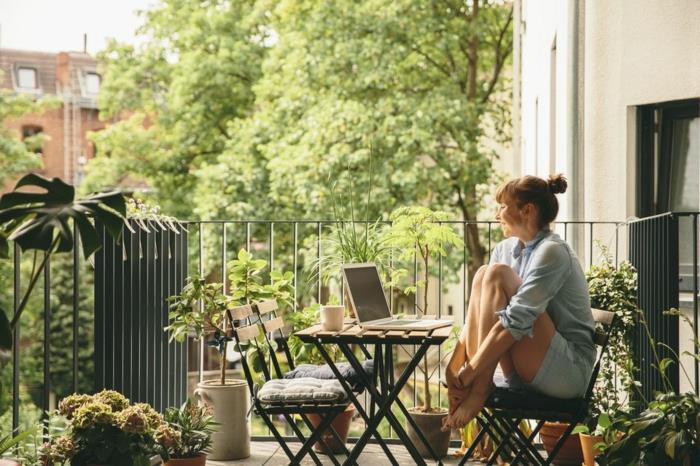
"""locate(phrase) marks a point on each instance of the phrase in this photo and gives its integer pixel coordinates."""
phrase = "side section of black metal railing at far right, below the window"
(664, 250)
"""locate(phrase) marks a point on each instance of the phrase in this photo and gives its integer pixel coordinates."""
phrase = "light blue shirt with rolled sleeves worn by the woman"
(553, 281)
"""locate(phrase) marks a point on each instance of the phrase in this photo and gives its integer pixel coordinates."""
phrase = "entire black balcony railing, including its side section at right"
(286, 245)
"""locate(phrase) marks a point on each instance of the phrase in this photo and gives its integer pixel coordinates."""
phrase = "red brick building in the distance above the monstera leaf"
(73, 77)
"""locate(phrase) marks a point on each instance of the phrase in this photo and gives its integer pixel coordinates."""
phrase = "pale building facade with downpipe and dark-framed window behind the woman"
(608, 92)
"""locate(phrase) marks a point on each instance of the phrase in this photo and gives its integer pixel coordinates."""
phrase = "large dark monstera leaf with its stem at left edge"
(39, 218)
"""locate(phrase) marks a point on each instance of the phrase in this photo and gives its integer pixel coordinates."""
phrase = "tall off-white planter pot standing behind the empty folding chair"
(230, 403)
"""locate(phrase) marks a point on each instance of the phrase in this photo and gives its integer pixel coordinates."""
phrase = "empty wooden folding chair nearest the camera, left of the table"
(244, 335)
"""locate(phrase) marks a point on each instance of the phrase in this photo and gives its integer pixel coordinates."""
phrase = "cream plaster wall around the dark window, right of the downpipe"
(636, 52)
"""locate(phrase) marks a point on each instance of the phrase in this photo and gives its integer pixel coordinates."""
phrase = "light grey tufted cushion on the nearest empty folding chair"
(305, 389)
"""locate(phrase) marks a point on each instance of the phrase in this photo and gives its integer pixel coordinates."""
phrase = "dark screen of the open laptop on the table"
(367, 293)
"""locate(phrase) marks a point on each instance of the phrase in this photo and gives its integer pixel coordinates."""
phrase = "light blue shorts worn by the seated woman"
(565, 372)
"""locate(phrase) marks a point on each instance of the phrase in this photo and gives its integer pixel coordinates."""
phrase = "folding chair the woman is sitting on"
(506, 407)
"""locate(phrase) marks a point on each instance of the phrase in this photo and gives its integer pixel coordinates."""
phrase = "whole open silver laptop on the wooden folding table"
(366, 294)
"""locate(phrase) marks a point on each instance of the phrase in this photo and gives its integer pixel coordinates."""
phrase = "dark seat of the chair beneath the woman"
(532, 405)
